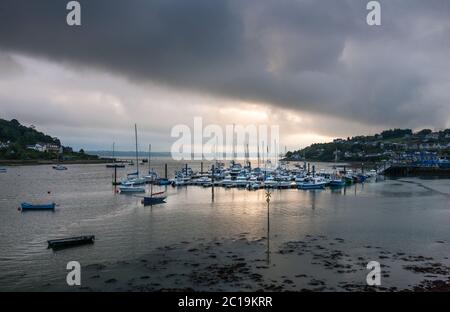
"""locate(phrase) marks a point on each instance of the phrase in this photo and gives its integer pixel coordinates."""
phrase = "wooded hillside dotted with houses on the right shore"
(386, 145)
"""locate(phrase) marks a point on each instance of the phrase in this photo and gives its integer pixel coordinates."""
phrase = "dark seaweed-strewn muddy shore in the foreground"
(241, 263)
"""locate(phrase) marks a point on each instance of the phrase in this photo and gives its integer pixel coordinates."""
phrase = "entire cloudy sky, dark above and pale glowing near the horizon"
(313, 67)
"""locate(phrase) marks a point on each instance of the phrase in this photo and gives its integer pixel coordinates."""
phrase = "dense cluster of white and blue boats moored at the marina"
(240, 176)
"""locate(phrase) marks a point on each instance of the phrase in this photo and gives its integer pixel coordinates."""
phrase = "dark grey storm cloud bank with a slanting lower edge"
(317, 56)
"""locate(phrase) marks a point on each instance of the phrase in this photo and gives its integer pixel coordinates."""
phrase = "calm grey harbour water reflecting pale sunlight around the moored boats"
(409, 214)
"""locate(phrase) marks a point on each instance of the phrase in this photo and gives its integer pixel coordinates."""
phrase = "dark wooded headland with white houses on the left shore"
(19, 142)
